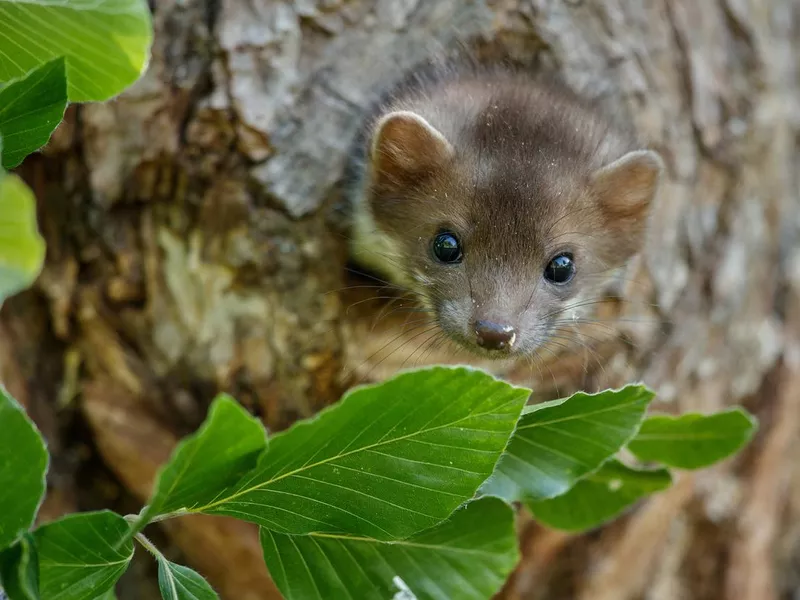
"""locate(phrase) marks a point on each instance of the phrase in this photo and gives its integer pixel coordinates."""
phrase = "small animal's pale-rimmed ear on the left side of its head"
(405, 147)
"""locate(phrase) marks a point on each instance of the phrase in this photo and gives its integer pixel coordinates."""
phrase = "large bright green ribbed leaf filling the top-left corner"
(106, 42)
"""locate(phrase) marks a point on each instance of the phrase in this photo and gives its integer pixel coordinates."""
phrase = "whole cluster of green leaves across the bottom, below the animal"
(406, 487)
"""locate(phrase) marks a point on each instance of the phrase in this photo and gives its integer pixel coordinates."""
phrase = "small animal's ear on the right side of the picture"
(626, 187)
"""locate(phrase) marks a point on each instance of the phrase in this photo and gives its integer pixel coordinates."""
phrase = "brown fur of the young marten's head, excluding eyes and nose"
(521, 171)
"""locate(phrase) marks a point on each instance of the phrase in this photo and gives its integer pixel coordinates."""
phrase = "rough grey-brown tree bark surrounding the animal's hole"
(192, 248)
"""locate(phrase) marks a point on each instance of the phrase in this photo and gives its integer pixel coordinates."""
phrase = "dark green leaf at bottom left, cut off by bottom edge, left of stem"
(82, 556)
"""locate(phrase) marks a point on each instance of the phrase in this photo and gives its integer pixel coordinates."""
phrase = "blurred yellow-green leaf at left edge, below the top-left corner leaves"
(21, 245)
